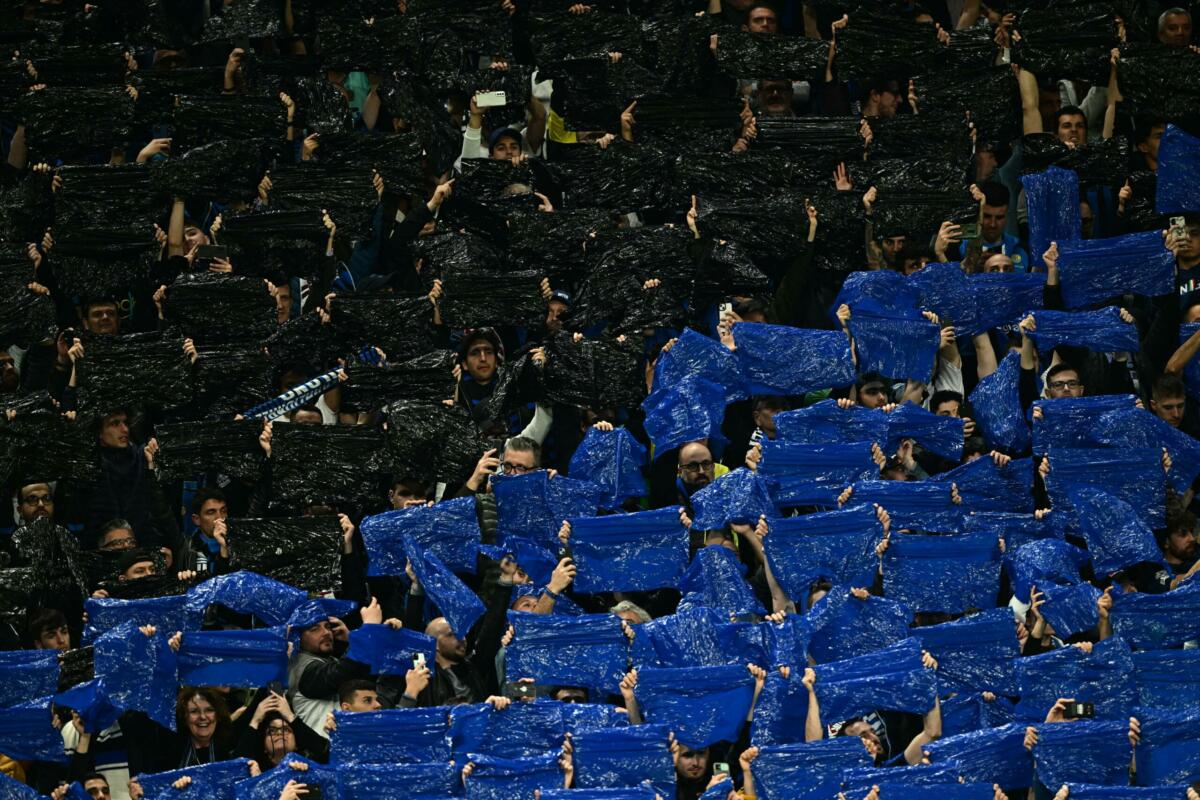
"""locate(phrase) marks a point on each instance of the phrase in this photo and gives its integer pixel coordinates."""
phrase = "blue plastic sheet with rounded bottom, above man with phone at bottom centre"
(703, 706)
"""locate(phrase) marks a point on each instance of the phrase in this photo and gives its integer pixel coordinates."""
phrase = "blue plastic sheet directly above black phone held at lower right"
(1103, 677)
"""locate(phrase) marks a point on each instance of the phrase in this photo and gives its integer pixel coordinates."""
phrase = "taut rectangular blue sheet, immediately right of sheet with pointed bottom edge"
(944, 574)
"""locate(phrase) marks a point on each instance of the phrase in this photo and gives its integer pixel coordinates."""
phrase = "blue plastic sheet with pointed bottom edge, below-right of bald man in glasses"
(835, 545)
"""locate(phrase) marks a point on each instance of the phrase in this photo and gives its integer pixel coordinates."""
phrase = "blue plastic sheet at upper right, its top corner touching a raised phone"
(1096, 270)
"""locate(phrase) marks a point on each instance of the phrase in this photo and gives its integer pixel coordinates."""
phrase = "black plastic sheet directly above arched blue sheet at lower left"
(303, 552)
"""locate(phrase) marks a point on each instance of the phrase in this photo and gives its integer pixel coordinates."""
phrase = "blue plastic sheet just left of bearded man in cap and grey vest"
(239, 659)
